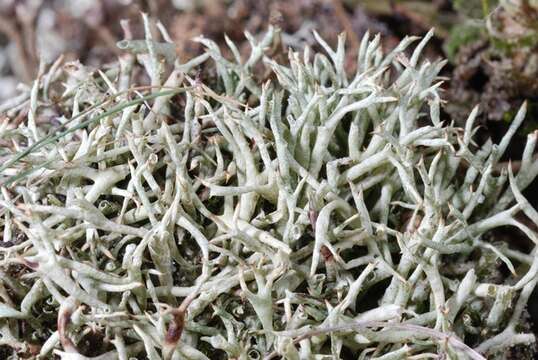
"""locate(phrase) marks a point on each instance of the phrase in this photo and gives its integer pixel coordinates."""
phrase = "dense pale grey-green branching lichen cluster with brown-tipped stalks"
(308, 216)
